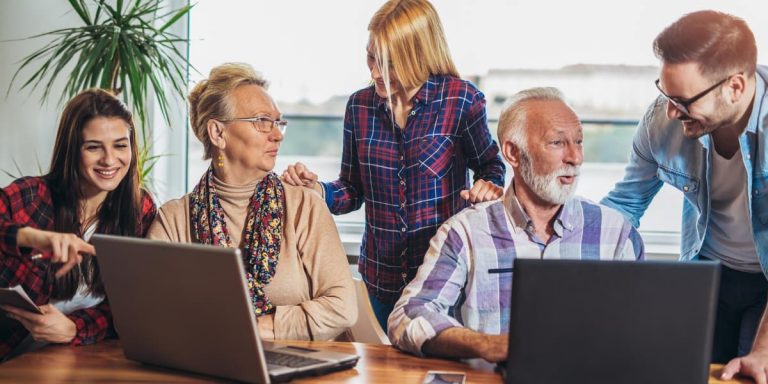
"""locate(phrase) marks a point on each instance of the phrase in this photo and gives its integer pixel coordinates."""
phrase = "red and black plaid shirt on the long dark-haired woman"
(27, 203)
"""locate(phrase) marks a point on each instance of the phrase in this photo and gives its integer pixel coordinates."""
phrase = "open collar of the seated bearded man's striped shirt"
(567, 217)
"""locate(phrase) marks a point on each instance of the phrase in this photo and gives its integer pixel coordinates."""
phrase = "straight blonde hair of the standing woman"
(408, 35)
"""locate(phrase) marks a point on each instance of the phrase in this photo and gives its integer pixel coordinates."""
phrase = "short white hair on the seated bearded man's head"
(513, 116)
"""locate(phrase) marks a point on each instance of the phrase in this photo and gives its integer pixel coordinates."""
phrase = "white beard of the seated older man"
(547, 187)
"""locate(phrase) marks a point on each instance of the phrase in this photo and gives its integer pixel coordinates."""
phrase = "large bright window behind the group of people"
(598, 53)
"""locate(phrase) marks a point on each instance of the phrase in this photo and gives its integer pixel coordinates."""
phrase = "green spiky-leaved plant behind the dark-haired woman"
(122, 46)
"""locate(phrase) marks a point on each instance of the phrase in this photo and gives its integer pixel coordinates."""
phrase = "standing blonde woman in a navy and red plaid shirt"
(409, 141)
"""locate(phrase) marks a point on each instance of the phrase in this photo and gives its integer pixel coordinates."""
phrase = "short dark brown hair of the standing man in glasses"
(720, 43)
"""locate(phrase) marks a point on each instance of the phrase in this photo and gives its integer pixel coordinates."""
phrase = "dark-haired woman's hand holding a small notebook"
(52, 326)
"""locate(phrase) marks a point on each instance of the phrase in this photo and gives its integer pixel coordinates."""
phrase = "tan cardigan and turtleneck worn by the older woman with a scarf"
(312, 287)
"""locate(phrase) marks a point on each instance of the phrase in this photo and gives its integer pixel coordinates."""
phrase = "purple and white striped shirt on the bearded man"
(466, 278)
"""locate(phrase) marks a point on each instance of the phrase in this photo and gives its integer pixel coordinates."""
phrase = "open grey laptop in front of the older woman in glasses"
(186, 306)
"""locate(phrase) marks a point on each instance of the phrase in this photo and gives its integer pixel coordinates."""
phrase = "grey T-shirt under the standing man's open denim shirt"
(729, 231)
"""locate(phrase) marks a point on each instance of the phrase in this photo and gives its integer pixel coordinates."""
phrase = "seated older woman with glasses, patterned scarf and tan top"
(295, 266)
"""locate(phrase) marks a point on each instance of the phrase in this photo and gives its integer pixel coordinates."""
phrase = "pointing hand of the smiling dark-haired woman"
(64, 248)
